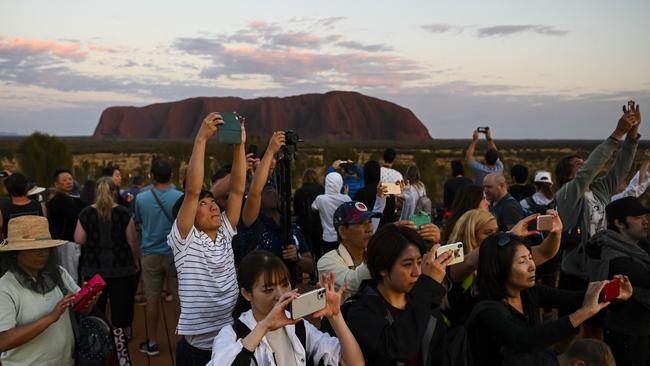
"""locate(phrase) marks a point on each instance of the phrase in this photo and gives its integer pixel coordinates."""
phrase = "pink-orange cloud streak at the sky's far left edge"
(32, 47)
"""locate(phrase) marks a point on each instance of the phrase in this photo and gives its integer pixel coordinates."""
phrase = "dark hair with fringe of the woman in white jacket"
(255, 264)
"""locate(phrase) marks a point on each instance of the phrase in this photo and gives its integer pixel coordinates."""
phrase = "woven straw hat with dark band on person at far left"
(27, 233)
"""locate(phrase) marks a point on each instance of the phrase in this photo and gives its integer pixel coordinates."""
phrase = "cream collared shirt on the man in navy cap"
(340, 263)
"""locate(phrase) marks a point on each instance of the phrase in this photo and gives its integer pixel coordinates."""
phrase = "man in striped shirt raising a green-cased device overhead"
(201, 239)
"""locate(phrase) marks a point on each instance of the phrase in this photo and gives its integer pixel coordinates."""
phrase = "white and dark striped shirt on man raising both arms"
(207, 282)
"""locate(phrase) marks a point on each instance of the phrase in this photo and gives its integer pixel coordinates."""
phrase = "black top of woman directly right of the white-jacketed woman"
(385, 342)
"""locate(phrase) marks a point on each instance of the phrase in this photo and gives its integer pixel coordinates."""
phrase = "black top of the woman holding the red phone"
(501, 335)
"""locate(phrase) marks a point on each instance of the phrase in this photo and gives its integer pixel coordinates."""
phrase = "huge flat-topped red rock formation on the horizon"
(335, 115)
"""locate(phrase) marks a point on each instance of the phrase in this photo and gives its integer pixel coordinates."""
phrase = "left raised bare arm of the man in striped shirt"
(194, 178)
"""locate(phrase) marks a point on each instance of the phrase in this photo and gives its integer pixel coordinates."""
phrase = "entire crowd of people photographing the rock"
(554, 270)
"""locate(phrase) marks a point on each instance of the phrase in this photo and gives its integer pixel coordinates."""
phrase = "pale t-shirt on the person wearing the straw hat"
(20, 306)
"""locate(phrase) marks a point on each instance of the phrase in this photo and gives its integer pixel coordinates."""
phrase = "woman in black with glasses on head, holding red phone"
(505, 328)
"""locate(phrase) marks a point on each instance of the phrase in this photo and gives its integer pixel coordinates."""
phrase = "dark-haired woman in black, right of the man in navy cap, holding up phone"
(396, 316)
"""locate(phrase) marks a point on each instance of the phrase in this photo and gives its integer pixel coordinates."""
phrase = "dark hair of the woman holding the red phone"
(495, 264)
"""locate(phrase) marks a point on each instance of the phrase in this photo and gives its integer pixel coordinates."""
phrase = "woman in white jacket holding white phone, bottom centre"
(270, 336)
